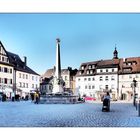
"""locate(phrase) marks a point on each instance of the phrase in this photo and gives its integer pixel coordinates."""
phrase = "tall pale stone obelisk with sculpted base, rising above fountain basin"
(57, 81)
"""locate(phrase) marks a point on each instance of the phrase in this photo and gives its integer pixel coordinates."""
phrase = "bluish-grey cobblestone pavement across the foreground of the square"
(27, 114)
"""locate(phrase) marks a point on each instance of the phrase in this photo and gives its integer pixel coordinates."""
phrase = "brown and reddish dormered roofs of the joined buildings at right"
(125, 66)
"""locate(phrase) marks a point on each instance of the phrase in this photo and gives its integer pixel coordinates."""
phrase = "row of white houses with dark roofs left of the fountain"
(15, 75)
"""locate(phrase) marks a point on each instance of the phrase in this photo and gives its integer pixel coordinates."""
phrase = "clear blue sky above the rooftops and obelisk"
(84, 37)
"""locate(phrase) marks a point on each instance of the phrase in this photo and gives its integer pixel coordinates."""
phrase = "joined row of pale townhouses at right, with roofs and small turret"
(114, 75)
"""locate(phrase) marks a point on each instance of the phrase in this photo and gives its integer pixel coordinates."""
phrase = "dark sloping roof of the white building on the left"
(19, 64)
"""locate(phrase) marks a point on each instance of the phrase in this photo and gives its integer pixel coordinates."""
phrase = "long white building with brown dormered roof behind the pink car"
(95, 78)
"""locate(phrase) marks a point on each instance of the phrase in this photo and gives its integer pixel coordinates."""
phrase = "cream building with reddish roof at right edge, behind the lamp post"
(129, 70)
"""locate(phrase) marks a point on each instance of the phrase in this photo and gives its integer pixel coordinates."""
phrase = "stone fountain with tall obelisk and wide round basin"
(58, 95)
